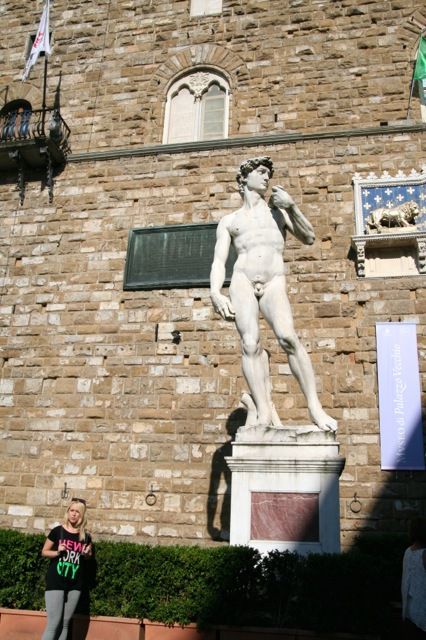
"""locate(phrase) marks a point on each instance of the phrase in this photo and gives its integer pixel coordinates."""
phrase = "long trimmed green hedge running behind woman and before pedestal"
(348, 592)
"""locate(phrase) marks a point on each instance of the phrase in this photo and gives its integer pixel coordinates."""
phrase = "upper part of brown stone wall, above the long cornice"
(292, 65)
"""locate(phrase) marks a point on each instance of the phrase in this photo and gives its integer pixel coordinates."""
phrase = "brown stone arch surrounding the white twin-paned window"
(196, 57)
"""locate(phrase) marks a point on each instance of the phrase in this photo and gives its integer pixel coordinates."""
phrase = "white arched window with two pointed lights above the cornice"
(197, 108)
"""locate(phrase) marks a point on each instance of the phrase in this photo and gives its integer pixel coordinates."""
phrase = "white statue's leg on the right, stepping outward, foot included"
(276, 309)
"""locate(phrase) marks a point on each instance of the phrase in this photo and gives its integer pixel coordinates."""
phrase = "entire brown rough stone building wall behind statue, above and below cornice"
(93, 391)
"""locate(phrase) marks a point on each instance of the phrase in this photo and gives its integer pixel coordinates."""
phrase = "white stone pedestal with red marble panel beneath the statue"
(285, 489)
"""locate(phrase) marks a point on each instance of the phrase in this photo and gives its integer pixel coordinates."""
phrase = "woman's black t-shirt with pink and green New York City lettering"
(66, 573)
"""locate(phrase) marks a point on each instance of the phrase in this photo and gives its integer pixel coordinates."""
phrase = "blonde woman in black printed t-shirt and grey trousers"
(67, 545)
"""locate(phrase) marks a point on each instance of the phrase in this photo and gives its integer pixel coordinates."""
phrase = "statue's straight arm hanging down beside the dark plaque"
(221, 303)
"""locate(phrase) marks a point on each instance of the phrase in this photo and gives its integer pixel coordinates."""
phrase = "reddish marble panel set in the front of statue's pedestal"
(285, 516)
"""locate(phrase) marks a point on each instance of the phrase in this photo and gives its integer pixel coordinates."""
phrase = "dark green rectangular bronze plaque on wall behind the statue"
(172, 256)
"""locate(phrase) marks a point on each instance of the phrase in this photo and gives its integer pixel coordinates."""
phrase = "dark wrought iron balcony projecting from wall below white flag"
(31, 140)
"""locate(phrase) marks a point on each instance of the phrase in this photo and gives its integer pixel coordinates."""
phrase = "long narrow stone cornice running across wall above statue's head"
(243, 141)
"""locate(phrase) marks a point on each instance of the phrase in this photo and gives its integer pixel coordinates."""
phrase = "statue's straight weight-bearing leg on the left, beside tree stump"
(246, 309)
